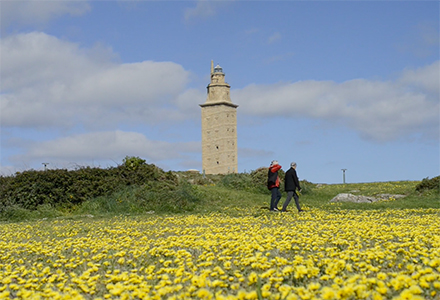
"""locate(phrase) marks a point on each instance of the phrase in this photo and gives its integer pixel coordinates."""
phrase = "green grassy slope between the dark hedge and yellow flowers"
(223, 198)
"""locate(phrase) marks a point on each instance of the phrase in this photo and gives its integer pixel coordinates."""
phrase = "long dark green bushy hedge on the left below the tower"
(60, 187)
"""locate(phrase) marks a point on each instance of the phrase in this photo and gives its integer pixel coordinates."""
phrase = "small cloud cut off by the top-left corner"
(35, 12)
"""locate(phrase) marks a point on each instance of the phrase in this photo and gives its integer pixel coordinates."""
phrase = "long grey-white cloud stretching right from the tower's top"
(377, 110)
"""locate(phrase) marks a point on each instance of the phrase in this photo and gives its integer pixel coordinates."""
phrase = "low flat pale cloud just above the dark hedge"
(104, 146)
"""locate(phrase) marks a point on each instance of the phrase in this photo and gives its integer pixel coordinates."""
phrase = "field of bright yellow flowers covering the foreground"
(318, 254)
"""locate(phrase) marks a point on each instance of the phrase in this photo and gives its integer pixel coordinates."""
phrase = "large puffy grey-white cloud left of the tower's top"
(50, 82)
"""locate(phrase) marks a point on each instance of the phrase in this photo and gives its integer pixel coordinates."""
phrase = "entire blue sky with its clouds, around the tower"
(330, 85)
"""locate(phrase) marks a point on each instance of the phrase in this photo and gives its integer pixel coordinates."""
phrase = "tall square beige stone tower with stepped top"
(219, 127)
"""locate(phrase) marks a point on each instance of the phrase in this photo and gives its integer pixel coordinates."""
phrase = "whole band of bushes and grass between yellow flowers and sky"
(135, 187)
